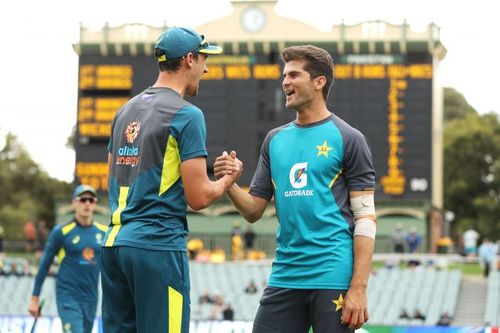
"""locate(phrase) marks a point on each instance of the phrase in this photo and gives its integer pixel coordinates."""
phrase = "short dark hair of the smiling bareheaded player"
(318, 62)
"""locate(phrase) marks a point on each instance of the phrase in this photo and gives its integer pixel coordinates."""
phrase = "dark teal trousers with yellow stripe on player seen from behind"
(145, 291)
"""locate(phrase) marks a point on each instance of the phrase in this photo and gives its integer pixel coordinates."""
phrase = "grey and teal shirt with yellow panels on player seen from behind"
(151, 136)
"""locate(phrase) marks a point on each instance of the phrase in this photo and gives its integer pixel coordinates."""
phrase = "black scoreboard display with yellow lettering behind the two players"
(387, 97)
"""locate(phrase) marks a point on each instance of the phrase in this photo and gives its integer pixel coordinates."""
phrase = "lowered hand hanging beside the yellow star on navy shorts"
(355, 308)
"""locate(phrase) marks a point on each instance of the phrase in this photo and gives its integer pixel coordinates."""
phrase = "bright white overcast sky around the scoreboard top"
(39, 69)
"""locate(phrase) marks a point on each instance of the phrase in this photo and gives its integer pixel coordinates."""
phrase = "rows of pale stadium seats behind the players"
(405, 291)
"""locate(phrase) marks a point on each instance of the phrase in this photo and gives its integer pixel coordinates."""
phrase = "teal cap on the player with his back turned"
(176, 42)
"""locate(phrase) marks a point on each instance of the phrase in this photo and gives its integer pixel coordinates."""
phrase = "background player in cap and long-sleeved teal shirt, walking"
(77, 244)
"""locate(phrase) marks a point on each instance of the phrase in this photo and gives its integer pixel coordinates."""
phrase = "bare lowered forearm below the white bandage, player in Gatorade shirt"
(363, 252)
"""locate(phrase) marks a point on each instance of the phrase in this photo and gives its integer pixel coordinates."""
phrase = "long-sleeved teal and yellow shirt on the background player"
(78, 249)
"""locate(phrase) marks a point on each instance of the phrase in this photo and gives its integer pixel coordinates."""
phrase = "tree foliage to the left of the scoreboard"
(28, 193)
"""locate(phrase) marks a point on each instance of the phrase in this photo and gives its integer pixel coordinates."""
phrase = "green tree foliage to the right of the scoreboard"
(472, 166)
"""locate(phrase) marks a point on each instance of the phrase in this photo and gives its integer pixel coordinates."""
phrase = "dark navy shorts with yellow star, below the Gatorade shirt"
(296, 310)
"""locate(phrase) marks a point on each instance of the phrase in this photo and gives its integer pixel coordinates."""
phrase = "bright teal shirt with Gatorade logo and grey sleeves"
(310, 170)
